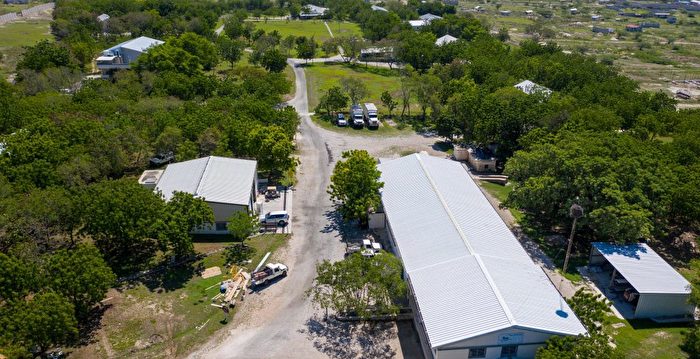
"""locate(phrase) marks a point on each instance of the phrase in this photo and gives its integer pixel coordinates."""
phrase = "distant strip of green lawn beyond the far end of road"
(309, 28)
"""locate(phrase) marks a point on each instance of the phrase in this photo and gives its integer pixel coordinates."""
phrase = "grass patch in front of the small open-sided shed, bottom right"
(646, 339)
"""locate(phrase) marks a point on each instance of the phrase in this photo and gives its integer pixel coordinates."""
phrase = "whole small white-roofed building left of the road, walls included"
(228, 185)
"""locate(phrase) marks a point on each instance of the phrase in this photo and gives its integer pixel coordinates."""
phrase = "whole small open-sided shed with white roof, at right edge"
(661, 292)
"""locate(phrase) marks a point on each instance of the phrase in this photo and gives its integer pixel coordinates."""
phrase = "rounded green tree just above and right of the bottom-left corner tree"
(80, 275)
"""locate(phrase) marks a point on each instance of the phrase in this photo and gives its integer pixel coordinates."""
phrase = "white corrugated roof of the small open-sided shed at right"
(646, 271)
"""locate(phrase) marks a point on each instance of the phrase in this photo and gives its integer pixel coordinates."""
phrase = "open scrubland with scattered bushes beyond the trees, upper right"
(654, 57)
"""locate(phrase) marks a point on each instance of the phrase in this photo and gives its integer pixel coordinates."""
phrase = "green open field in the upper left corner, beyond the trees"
(16, 34)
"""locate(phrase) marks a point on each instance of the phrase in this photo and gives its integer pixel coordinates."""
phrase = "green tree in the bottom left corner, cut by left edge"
(38, 324)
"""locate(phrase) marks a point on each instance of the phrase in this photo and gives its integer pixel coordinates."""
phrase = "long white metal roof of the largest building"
(468, 272)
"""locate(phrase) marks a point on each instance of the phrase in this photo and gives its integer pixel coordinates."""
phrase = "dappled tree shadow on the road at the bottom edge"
(350, 340)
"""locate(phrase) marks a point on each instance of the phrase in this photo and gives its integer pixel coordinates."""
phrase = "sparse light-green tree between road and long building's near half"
(365, 286)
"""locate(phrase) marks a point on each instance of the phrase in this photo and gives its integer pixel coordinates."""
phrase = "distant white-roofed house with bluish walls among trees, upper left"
(121, 56)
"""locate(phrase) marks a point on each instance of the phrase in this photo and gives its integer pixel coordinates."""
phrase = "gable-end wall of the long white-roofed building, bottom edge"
(528, 341)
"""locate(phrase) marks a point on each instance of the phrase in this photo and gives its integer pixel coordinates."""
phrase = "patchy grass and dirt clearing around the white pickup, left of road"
(167, 315)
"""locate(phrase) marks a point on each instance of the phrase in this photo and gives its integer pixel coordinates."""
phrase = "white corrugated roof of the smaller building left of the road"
(216, 179)
